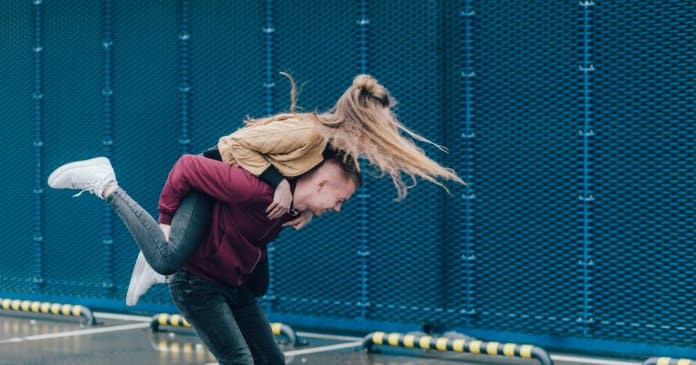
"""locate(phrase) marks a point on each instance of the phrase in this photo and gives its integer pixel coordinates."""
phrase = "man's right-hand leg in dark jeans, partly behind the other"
(257, 332)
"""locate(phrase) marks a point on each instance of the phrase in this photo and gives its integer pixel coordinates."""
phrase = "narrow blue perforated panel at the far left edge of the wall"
(17, 131)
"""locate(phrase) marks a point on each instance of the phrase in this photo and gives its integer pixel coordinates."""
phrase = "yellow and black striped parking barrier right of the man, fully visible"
(467, 345)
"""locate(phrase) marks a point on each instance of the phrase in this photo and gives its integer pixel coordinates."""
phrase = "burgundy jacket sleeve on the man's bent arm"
(217, 179)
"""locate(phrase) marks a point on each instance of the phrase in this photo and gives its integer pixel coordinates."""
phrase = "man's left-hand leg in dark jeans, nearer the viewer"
(206, 307)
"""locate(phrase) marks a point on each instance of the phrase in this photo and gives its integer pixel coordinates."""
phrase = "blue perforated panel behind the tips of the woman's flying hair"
(407, 242)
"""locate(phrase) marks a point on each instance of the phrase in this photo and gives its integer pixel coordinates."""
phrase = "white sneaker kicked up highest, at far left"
(92, 175)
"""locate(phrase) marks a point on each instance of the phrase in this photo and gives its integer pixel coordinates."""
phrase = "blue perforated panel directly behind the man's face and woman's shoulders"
(320, 55)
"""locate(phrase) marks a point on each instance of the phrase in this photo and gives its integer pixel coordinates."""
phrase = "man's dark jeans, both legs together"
(228, 320)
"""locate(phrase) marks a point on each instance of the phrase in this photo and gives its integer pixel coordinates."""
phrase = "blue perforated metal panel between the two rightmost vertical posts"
(528, 166)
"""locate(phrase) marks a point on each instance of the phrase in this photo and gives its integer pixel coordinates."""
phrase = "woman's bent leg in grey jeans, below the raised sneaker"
(189, 222)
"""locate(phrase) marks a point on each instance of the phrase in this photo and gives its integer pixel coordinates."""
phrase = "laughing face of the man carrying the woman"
(329, 194)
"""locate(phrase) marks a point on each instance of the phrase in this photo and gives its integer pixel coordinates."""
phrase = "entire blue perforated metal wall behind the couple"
(573, 123)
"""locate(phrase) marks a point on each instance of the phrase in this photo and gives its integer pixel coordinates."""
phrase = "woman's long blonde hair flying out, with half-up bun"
(362, 123)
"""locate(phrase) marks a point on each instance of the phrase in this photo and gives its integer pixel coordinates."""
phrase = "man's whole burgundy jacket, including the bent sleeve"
(239, 229)
